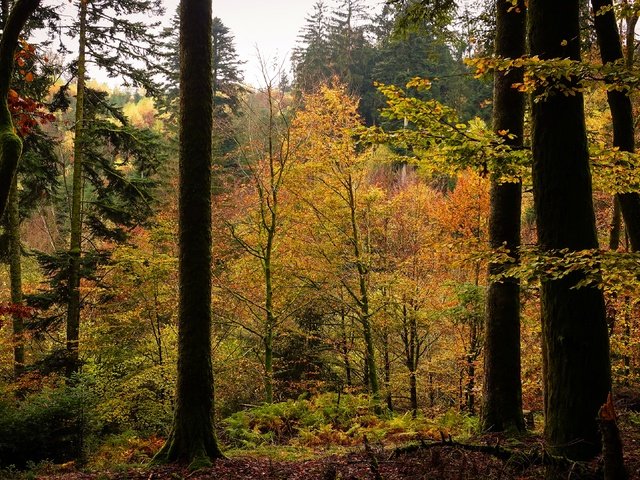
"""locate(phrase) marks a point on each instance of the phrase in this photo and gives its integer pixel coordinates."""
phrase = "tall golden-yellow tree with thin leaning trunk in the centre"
(336, 169)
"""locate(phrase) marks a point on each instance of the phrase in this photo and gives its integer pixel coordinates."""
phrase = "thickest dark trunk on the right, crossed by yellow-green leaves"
(574, 331)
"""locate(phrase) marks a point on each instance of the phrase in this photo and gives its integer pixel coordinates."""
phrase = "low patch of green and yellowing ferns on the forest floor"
(335, 420)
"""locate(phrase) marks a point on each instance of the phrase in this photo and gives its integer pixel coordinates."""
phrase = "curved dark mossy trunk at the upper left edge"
(10, 143)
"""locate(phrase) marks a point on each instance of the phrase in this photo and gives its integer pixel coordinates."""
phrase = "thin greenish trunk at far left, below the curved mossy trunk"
(15, 269)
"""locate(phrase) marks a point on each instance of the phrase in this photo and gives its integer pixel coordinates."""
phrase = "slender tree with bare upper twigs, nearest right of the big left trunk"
(258, 232)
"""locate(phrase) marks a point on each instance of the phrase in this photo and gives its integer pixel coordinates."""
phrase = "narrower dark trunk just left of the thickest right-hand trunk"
(502, 396)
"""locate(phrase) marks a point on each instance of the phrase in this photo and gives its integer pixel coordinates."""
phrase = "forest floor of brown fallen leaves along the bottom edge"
(429, 460)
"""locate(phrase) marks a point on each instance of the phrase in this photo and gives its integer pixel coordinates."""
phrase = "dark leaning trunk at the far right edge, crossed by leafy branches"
(610, 46)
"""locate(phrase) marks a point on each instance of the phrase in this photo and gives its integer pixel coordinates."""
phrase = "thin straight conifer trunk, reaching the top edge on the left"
(75, 247)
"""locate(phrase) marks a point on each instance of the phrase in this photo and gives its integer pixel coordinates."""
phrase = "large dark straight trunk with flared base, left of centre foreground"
(192, 439)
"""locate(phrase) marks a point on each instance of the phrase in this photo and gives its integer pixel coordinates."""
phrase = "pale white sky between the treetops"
(268, 26)
